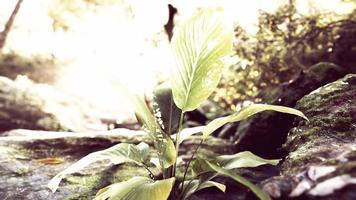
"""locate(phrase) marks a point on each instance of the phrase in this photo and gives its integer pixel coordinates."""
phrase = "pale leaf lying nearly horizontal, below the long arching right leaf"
(243, 159)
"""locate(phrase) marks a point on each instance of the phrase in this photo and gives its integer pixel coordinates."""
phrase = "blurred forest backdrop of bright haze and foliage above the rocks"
(84, 47)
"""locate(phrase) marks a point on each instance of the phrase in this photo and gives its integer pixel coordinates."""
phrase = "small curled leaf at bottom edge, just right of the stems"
(190, 187)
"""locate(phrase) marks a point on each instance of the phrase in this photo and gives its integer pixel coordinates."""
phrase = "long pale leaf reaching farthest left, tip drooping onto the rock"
(117, 154)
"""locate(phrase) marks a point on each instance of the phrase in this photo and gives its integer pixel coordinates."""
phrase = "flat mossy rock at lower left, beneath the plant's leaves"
(29, 159)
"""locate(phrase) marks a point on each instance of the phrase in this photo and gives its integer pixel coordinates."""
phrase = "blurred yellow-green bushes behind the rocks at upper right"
(286, 43)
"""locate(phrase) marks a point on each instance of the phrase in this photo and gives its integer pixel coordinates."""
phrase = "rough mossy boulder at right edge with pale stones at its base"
(321, 163)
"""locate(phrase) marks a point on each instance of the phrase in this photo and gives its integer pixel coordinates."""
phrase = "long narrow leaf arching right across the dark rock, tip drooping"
(247, 112)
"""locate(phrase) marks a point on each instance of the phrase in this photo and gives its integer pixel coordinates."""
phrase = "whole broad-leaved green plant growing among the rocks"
(198, 49)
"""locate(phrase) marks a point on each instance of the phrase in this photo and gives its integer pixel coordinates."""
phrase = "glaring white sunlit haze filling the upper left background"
(121, 42)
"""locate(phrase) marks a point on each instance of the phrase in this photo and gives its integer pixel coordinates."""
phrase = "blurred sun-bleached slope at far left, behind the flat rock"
(25, 104)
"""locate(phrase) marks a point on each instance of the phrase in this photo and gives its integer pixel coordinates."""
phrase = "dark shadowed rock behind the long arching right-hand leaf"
(264, 133)
